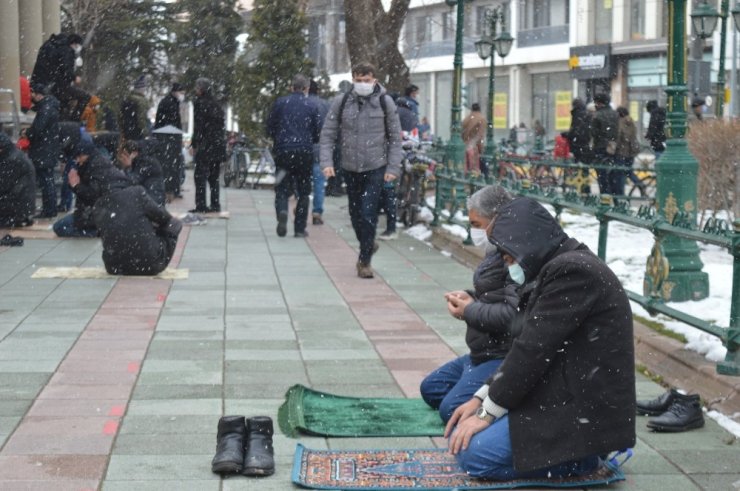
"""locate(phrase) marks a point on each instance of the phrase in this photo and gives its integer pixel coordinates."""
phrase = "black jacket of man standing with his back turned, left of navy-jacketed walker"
(209, 139)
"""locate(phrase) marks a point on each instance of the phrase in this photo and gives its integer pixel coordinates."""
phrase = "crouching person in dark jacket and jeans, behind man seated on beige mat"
(93, 176)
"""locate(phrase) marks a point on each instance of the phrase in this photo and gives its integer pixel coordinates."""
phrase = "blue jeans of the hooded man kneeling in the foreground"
(489, 455)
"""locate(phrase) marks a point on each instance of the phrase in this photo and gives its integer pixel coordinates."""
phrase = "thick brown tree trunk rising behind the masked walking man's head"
(372, 36)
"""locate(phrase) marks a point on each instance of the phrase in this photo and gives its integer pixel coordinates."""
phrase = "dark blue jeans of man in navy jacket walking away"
(297, 166)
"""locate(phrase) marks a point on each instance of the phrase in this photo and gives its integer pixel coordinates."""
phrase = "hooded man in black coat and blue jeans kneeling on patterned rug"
(565, 393)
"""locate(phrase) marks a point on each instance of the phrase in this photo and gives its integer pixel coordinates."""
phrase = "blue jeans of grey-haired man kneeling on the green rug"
(454, 384)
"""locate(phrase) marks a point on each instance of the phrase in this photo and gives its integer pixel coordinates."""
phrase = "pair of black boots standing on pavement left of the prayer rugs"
(244, 447)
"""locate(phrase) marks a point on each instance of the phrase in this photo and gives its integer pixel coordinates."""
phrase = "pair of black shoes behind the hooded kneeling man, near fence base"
(674, 412)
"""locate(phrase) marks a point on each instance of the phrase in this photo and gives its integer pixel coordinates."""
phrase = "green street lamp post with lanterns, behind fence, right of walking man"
(488, 46)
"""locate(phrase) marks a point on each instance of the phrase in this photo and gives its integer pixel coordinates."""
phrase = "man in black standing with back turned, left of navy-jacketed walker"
(208, 146)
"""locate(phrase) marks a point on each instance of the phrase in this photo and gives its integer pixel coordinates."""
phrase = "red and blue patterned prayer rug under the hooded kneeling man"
(433, 469)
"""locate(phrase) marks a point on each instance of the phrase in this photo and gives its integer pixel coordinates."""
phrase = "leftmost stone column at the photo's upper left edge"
(9, 56)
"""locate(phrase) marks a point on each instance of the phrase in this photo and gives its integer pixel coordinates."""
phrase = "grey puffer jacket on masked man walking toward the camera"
(365, 146)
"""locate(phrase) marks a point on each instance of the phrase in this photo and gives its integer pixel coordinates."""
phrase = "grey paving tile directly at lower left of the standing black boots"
(161, 468)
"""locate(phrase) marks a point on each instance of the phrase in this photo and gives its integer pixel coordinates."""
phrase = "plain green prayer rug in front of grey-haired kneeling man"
(319, 413)
